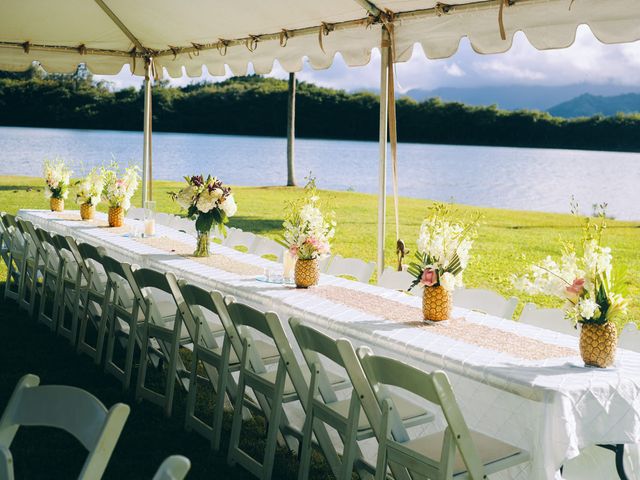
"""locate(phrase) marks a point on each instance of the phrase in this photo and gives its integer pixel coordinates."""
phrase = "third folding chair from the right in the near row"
(272, 388)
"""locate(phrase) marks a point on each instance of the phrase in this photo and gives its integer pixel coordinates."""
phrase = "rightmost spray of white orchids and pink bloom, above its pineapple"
(582, 276)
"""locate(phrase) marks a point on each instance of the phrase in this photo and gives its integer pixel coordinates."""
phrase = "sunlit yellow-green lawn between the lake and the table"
(507, 243)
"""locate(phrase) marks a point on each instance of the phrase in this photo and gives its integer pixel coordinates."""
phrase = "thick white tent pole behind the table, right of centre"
(382, 171)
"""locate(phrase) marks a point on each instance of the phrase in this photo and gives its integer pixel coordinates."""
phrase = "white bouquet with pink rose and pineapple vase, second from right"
(442, 255)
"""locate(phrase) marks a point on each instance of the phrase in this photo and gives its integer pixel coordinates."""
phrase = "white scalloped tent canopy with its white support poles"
(154, 35)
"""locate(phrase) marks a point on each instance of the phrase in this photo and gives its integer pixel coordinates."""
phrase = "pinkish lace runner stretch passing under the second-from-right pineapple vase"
(457, 328)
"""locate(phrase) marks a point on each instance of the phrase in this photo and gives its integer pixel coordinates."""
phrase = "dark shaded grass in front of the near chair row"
(148, 437)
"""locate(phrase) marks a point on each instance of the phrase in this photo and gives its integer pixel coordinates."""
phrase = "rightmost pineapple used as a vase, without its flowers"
(598, 343)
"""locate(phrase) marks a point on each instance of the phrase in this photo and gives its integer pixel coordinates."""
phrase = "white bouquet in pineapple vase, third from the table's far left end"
(117, 191)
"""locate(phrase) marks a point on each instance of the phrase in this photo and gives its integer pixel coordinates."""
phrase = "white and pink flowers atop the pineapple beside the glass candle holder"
(307, 234)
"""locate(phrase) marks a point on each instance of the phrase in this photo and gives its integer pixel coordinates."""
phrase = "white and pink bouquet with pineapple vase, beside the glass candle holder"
(307, 235)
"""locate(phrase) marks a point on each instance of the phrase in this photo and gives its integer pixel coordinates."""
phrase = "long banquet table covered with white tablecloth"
(552, 407)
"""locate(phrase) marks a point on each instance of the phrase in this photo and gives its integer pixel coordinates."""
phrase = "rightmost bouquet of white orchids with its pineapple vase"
(584, 277)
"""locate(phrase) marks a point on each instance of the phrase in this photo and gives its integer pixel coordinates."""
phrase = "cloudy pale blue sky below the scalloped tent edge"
(586, 61)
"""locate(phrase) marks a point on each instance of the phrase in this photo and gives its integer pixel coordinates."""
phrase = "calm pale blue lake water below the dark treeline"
(515, 178)
